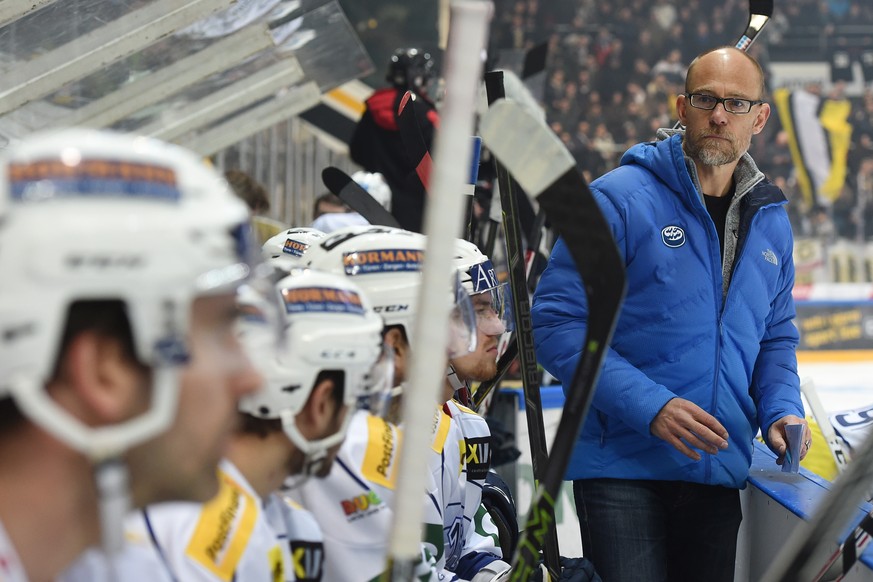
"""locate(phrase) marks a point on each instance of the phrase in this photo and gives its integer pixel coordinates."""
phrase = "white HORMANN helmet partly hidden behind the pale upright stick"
(386, 262)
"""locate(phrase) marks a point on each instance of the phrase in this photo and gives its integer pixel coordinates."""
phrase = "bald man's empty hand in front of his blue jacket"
(682, 423)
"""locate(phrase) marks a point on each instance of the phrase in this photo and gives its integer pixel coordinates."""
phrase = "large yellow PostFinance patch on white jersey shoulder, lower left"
(226, 523)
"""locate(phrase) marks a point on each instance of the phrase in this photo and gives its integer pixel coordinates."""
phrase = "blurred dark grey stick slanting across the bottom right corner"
(793, 561)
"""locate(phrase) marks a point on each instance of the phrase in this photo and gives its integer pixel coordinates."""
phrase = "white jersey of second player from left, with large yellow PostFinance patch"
(234, 537)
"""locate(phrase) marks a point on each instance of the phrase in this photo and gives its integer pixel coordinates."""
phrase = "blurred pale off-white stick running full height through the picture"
(469, 30)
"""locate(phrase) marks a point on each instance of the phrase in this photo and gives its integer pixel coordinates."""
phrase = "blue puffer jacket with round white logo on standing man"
(679, 333)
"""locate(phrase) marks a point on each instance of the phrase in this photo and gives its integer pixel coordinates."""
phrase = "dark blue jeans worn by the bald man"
(658, 531)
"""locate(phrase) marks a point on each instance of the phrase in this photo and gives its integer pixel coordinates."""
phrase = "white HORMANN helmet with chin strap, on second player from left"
(331, 326)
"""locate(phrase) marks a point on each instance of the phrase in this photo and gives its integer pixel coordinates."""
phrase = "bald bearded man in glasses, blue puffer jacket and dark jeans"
(703, 354)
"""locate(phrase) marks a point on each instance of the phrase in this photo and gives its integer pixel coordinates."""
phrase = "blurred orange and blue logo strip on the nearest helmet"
(40, 180)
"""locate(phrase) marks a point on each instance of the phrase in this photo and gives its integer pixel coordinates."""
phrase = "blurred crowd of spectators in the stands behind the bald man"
(615, 68)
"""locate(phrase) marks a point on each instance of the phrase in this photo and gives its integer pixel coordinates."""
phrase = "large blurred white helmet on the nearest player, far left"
(131, 219)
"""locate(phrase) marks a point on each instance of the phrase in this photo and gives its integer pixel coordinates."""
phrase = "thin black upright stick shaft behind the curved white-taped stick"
(524, 331)
